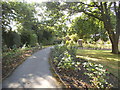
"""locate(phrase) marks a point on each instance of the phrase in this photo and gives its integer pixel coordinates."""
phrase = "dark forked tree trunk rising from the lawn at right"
(113, 35)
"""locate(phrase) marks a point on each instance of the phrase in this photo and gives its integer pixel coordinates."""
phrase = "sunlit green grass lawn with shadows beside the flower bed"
(105, 57)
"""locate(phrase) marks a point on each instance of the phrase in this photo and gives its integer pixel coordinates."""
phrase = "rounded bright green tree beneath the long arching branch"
(88, 27)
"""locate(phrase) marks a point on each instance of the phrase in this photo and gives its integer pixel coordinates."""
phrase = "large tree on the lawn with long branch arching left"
(103, 11)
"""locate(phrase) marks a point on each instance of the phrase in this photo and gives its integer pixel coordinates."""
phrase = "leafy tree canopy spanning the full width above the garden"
(100, 20)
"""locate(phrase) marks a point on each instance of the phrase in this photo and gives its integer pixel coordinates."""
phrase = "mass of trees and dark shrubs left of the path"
(29, 30)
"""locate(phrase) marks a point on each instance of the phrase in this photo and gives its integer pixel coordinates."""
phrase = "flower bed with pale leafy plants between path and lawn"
(79, 73)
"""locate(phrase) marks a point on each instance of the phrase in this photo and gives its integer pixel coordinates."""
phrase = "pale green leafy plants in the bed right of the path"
(63, 59)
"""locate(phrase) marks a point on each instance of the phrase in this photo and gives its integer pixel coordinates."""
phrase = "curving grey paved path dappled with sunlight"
(33, 73)
